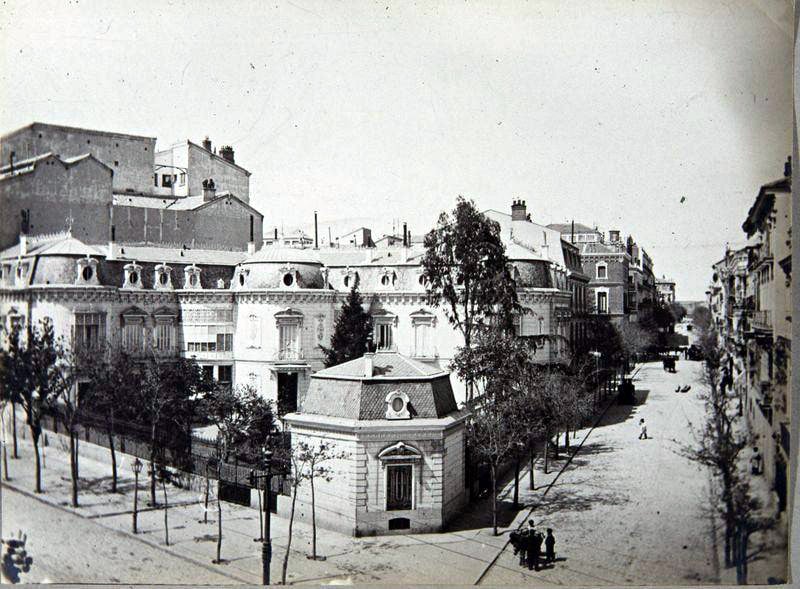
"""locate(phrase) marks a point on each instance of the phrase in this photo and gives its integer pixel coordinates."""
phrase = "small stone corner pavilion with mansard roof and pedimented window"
(403, 437)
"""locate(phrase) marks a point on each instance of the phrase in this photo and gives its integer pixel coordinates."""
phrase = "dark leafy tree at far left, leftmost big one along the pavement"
(38, 376)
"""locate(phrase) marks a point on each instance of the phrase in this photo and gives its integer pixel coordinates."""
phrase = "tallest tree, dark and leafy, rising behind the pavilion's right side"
(466, 272)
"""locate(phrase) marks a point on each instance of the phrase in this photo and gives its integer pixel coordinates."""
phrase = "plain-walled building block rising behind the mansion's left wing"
(99, 183)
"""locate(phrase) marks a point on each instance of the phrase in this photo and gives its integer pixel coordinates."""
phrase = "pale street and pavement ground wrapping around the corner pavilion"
(624, 511)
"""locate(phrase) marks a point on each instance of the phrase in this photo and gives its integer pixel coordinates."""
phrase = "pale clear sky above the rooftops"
(658, 118)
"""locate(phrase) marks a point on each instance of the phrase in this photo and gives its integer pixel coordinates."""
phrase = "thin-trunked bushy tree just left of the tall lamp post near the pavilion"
(243, 420)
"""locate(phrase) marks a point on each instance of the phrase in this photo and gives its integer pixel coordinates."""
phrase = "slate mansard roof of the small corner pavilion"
(344, 392)
